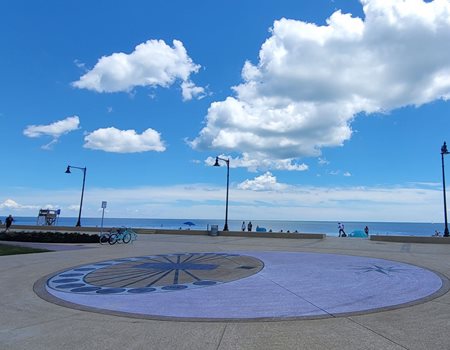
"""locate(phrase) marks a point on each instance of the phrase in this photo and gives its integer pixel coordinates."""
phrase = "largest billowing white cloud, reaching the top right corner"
(311, 81)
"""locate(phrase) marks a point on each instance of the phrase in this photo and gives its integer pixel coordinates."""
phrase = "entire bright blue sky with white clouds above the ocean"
(327, 110)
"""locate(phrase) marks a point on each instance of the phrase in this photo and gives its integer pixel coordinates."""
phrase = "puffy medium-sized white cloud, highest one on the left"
(153, 63)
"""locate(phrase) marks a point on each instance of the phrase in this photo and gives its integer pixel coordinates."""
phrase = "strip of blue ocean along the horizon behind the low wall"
(328, 227)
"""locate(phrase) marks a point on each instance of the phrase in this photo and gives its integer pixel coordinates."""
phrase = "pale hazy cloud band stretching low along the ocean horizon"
(408, 203)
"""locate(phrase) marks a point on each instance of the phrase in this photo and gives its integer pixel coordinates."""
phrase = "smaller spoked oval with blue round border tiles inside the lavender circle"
(158, 273)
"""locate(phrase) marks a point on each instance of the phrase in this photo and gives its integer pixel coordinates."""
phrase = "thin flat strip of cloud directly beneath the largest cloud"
(259, 162)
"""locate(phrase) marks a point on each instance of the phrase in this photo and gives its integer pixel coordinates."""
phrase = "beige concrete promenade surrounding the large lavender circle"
(29, 322)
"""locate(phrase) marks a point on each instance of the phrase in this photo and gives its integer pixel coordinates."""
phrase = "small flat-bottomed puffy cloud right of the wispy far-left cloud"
(124, 141)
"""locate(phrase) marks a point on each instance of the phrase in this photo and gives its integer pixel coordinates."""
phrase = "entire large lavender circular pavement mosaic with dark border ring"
(229, 286)
